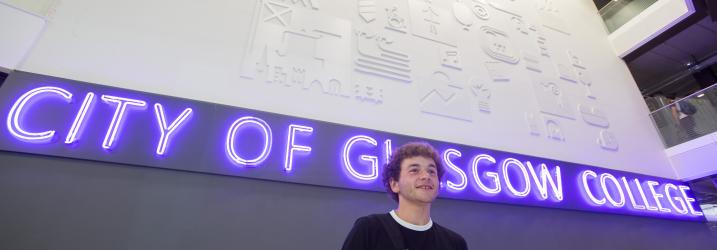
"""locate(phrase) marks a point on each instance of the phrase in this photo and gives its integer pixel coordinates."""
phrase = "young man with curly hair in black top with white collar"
(412, 179)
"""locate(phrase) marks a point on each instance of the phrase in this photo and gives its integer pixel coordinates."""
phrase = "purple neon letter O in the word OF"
(231, 138)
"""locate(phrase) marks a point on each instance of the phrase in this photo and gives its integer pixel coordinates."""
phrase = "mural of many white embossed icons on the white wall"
(457, 58)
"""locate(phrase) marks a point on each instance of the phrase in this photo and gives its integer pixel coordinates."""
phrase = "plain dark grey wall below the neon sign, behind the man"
(56, 203)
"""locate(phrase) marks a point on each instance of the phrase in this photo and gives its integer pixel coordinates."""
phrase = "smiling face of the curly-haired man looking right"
(418, 181)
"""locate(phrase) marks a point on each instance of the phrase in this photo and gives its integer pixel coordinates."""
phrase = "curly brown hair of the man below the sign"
(392, 169)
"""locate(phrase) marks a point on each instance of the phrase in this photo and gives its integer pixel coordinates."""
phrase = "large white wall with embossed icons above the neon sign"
(209, 50)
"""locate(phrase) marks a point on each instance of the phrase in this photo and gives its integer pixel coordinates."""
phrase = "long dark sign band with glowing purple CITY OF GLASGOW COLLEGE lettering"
(59, 117)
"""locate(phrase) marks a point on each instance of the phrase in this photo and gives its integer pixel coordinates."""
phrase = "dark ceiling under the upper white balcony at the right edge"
(667, 63)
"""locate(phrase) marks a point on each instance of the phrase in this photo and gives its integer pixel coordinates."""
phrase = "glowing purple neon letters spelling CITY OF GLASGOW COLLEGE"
(601, 191)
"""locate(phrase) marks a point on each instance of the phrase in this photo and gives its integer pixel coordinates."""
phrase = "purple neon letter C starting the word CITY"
(13, 118)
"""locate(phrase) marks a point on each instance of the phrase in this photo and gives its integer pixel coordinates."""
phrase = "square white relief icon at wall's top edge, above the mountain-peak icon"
(431, 22)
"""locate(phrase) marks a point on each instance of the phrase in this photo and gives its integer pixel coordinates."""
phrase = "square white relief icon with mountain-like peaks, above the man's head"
(445, 98)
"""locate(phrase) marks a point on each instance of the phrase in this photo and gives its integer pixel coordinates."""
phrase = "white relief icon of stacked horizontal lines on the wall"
(379, 55)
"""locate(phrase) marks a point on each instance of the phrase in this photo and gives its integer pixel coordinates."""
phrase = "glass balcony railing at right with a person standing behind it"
(687, 118)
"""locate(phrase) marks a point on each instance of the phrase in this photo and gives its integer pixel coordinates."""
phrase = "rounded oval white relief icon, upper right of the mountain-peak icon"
(497, 45)
